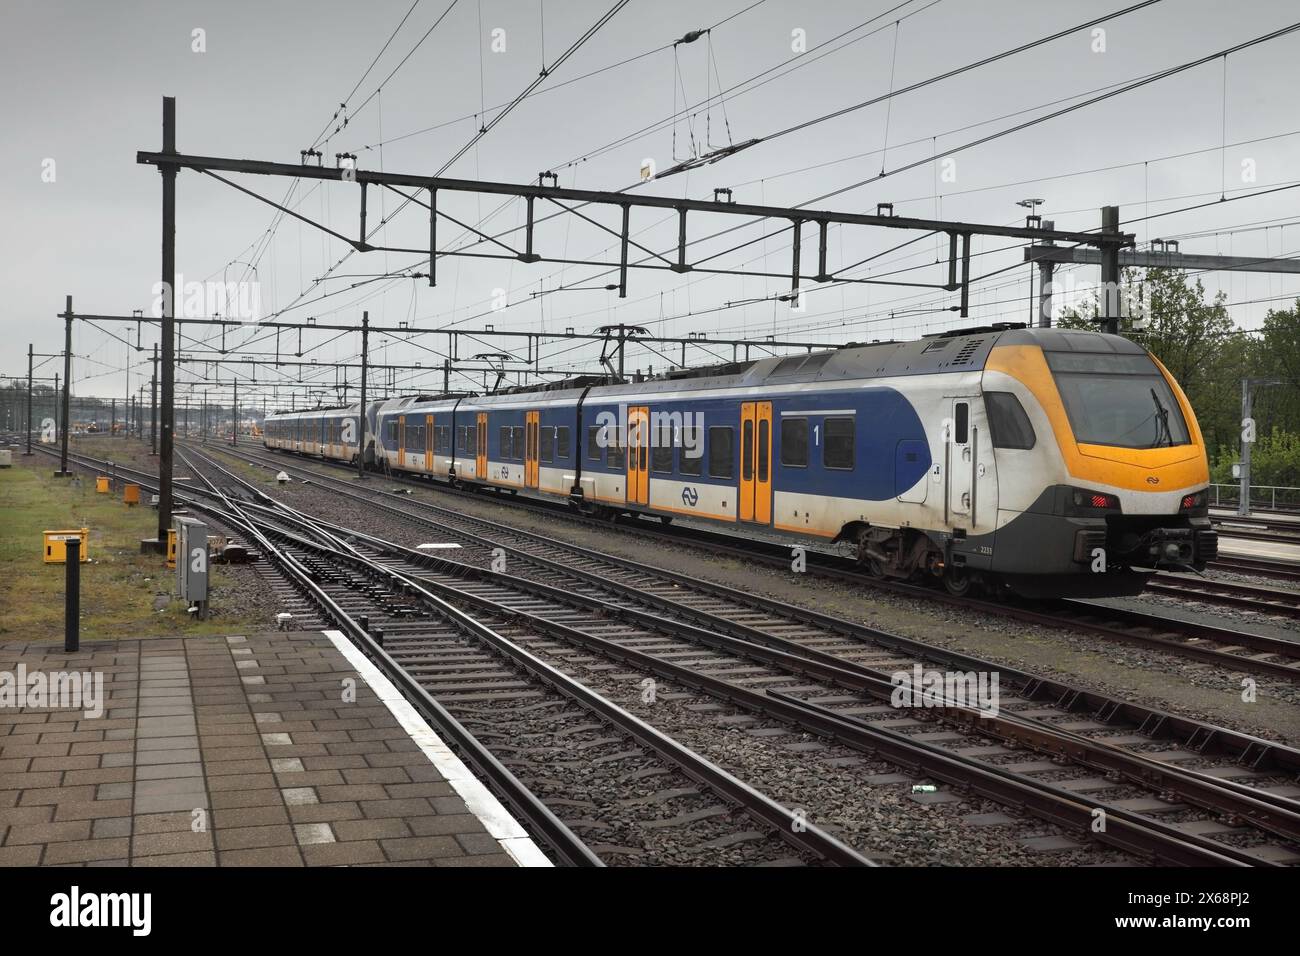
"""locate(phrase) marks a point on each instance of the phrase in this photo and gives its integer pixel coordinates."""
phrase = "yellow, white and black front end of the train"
(1113, 483)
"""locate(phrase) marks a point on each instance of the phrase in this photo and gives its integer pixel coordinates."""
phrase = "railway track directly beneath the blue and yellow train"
(1221, 646)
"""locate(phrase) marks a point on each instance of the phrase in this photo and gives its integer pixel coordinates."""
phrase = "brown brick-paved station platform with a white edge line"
(280, 750)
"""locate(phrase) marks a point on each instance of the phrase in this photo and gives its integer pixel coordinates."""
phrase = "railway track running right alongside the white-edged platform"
(549, 743)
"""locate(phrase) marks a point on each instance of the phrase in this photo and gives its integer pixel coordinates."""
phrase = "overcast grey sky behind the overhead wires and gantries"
(85, 81)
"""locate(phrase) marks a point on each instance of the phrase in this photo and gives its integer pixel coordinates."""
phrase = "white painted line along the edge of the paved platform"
(496, 819)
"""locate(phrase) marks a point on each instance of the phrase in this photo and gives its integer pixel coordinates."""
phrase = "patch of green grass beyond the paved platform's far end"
(119, 585)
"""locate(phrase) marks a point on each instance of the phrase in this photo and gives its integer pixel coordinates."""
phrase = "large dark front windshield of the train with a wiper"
(1119, 400)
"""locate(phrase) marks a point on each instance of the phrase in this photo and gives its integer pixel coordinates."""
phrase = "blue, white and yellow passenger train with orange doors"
(1041, 462)
